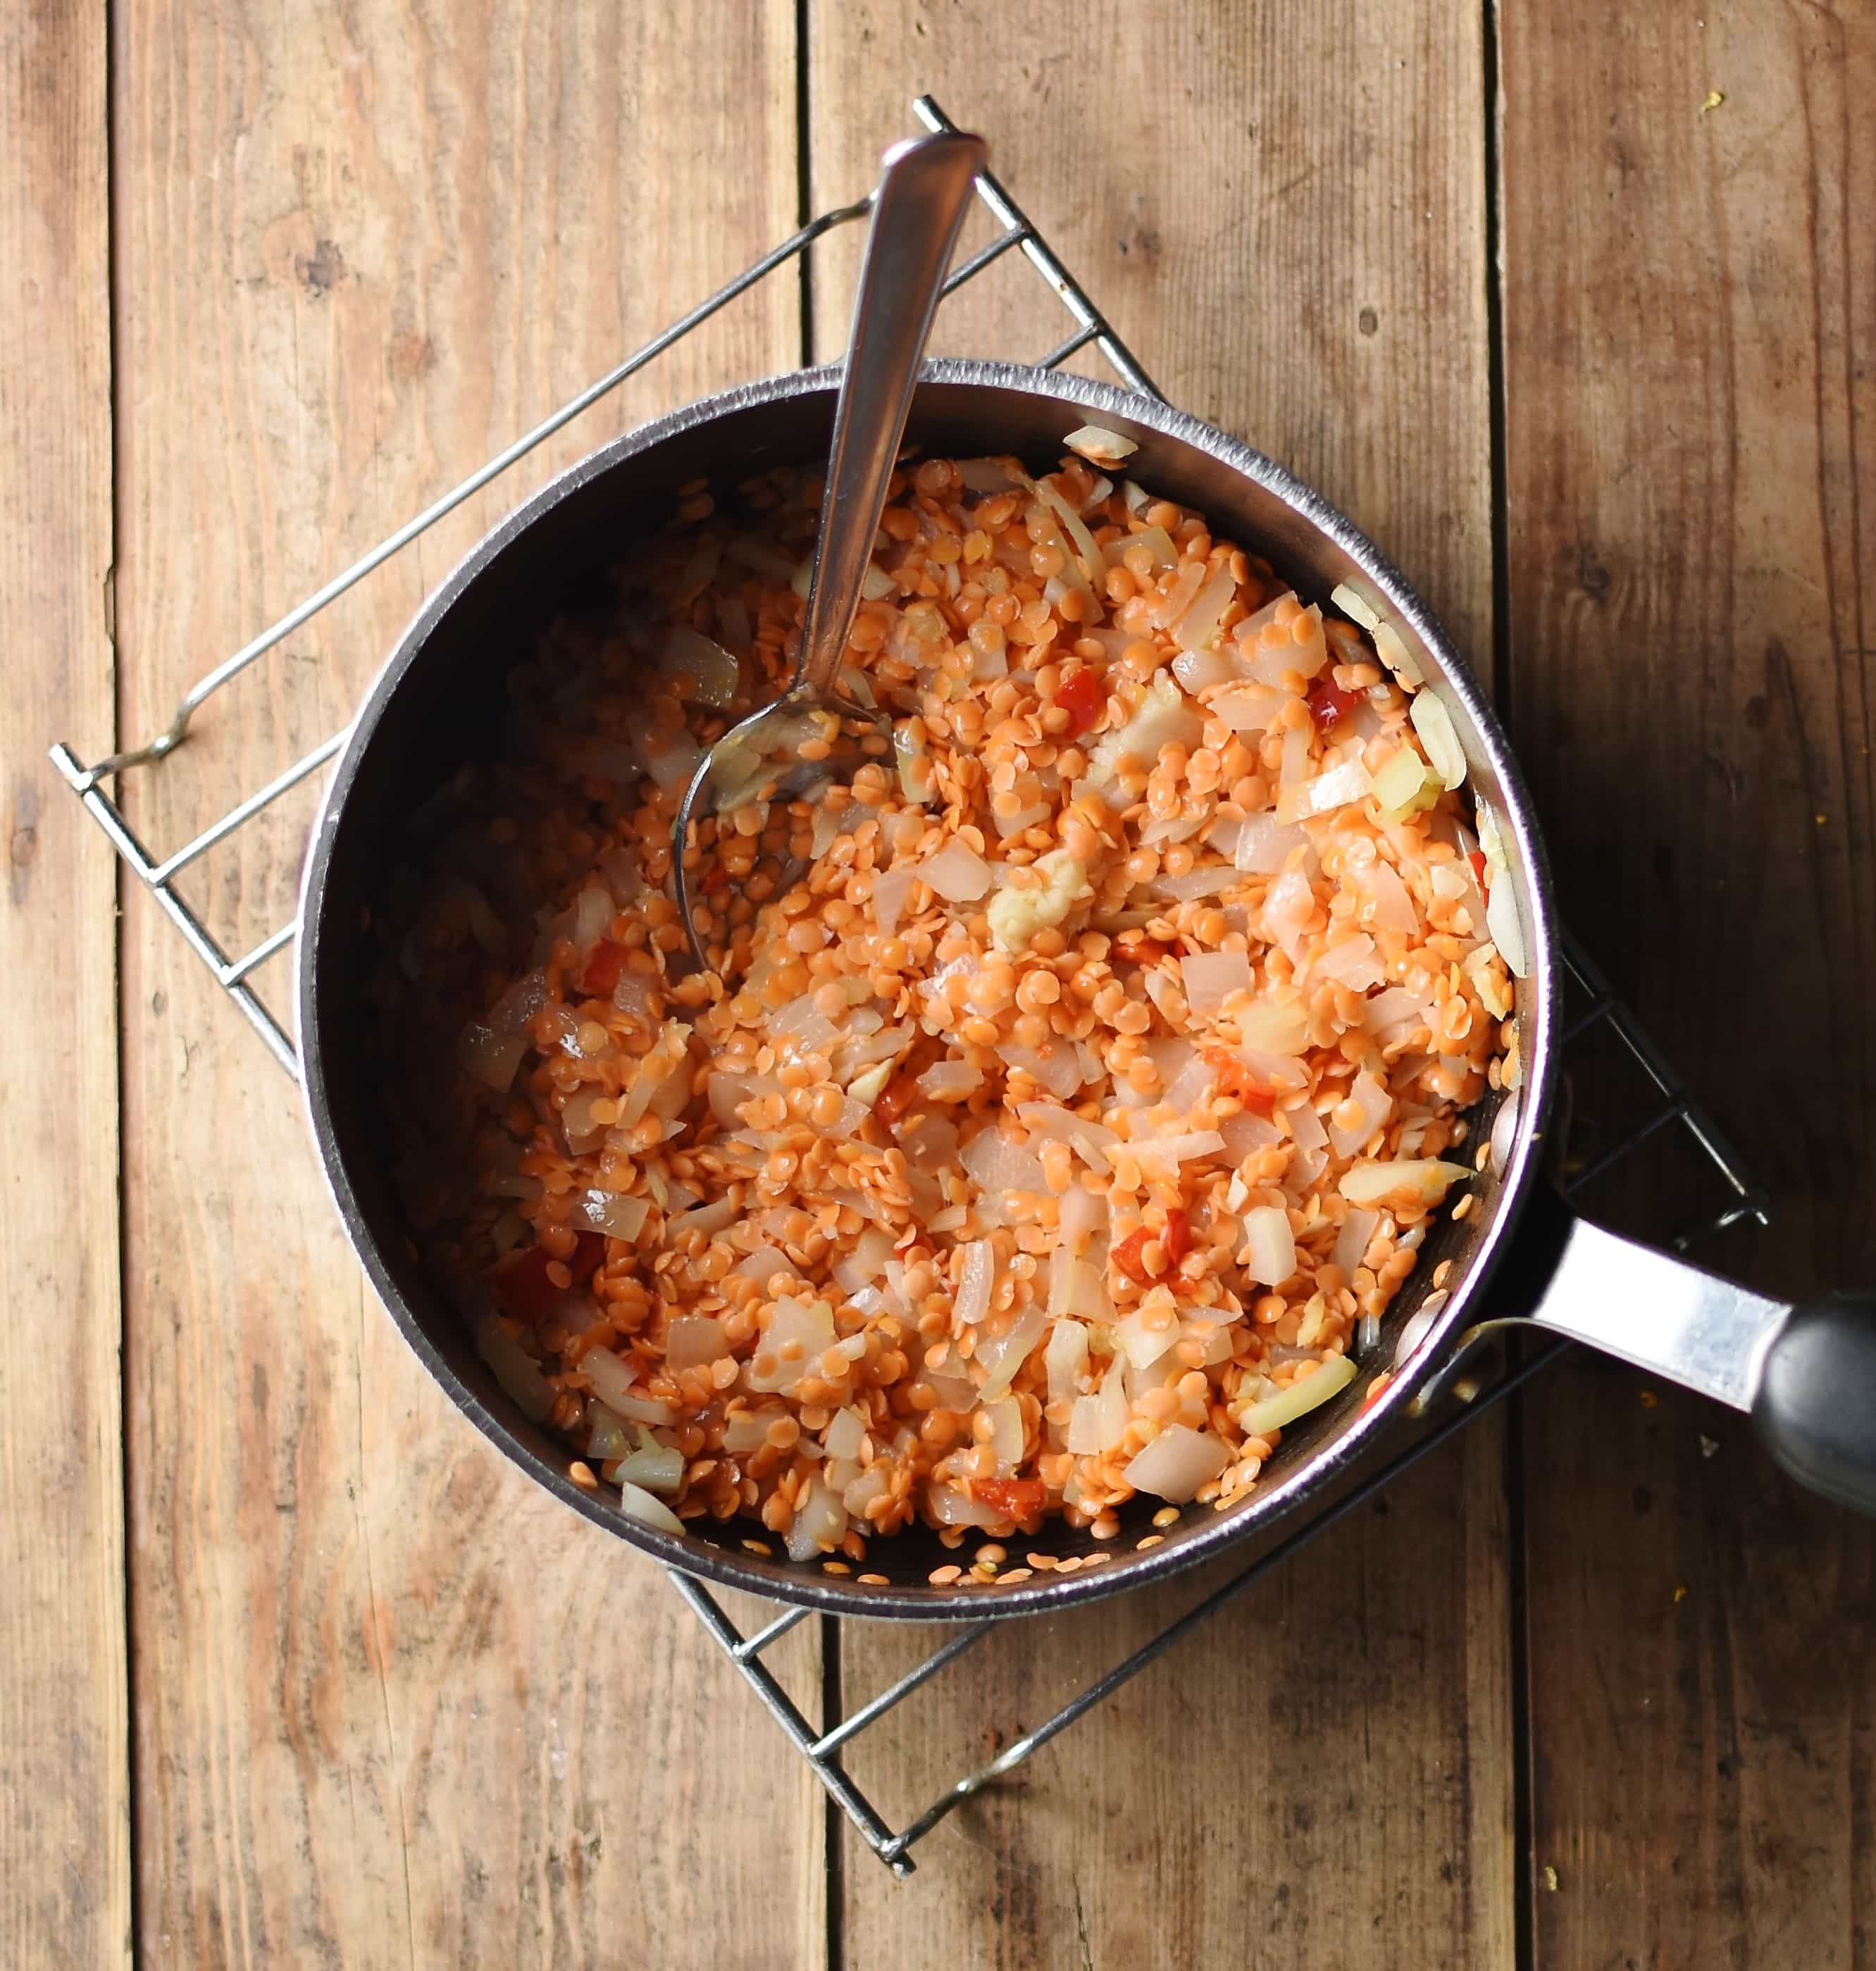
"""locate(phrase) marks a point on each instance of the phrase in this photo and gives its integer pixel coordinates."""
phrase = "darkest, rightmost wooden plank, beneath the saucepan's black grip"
(1690, 332)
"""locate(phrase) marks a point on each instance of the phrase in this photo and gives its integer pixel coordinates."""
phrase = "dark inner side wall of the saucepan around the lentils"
(440, 705)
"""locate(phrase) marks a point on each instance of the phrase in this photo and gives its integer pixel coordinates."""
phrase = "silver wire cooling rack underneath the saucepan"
(1595, 1014)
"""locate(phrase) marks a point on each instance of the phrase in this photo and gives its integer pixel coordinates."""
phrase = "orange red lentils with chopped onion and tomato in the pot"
(1061, 1136)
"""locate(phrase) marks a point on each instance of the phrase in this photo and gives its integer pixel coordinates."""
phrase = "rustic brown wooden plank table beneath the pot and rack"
(1574, 310)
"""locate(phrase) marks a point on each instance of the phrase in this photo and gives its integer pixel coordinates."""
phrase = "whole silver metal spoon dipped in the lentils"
(925, 186)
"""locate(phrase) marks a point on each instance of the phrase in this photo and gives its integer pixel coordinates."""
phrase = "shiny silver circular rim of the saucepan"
(1264, 1505)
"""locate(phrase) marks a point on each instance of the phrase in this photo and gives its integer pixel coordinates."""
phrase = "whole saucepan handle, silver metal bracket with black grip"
(1806, 1375)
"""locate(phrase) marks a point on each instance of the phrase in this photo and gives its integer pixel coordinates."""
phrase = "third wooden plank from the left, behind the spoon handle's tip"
(1296, 249)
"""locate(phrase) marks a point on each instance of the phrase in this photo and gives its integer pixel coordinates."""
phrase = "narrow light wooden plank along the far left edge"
(64, 1716)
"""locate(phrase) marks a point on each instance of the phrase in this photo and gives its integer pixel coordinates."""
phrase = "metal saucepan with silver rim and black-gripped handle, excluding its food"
(1808, 1375)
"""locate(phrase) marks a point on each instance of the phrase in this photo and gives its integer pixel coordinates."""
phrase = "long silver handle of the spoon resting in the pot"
(923, 190)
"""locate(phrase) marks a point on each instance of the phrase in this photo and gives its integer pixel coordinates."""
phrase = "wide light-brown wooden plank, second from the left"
(393, 1706)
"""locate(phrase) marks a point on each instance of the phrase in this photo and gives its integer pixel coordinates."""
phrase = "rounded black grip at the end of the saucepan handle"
(1816, 1400)
